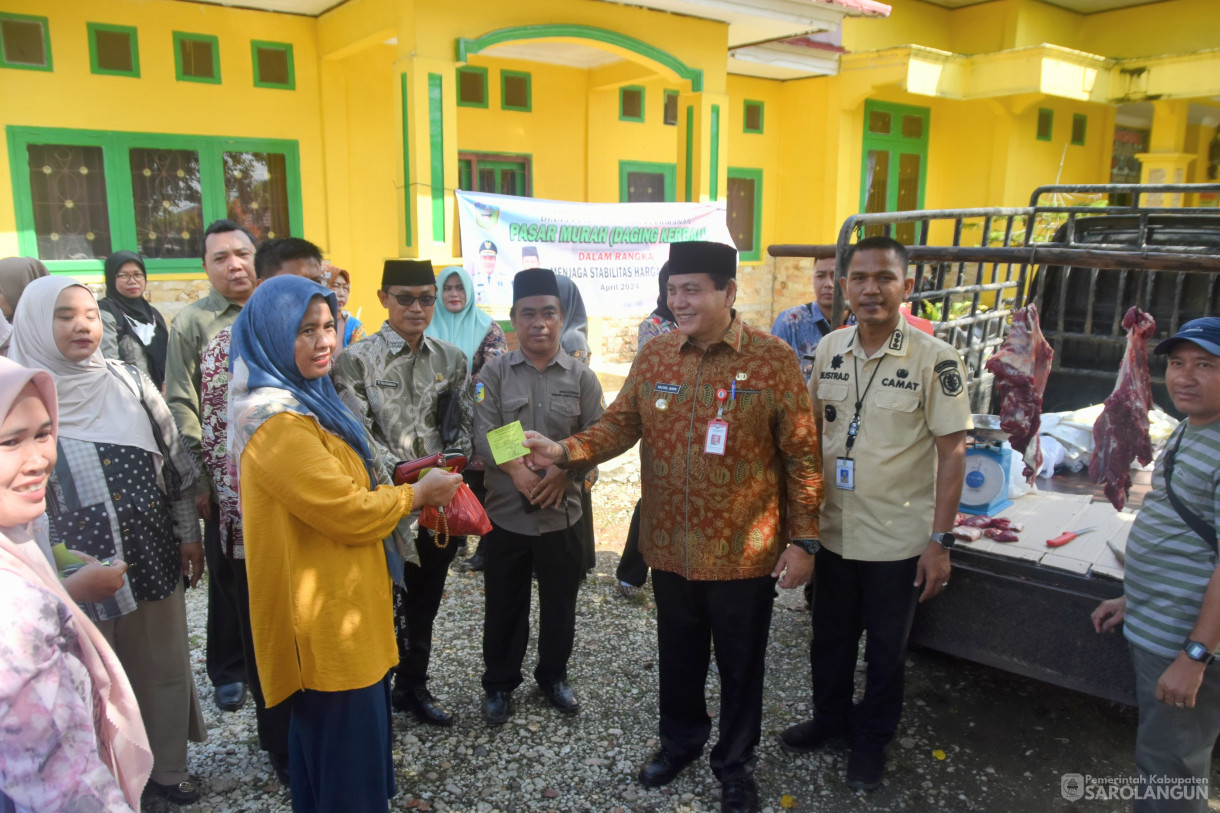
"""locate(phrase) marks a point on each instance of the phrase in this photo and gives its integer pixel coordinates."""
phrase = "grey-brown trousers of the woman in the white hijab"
(152, 645)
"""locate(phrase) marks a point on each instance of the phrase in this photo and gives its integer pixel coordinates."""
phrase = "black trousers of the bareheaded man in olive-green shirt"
(226, 661)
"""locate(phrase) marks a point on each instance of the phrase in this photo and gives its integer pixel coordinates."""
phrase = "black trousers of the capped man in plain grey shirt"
(512, 561)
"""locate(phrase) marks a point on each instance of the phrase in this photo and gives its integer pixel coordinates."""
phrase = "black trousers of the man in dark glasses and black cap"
(415, 610)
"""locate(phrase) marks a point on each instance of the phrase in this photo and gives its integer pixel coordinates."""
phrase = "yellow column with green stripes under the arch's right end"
(703, 147)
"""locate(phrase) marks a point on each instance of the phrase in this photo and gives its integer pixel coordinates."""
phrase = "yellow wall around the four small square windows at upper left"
(73, 97)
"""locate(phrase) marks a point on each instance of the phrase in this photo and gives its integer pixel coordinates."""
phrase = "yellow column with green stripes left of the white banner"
(428, 130)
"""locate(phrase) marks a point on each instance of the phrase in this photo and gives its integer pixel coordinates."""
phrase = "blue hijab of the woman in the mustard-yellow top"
(264, 339)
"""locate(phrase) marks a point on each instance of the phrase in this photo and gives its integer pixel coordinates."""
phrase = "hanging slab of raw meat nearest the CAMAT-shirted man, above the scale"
(1022, 367)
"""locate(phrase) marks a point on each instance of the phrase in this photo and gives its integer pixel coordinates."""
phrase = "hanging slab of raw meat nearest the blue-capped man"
(1121, 434)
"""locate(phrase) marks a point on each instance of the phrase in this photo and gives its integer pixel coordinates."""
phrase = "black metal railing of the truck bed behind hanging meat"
(973, 268)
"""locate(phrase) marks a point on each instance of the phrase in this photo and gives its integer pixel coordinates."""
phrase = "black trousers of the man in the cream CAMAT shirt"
(855, 598)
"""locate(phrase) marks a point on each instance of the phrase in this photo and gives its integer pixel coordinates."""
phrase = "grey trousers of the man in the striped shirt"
(1174, 745)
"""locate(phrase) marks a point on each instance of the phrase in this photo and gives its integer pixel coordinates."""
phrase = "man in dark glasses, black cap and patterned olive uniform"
(398, 383)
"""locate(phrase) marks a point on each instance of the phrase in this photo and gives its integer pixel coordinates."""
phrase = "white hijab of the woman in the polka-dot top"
(96, 406)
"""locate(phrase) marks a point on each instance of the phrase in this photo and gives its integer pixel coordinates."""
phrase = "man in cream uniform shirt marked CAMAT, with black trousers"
(892, 413)
